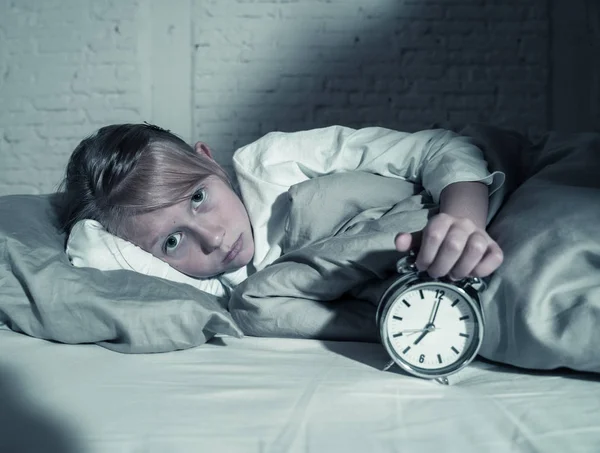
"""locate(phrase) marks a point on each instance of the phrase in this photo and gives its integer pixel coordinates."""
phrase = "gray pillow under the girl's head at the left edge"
(43, 295)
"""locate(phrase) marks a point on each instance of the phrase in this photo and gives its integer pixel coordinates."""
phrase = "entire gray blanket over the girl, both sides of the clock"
(541, 305)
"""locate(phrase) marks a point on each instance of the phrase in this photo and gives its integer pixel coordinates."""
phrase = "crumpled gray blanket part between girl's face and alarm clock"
(339, 243)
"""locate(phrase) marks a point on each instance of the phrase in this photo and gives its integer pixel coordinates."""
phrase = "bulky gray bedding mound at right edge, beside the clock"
(543, 304)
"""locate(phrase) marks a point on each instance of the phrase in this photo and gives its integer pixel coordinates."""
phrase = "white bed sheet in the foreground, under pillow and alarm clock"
(275, 396)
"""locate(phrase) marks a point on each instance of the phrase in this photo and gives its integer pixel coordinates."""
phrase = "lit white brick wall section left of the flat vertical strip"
(66, 68)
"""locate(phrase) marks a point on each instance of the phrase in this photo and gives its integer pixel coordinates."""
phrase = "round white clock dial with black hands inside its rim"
(432, 329)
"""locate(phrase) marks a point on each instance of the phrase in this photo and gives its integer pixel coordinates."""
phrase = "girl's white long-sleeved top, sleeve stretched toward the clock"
(267, 168)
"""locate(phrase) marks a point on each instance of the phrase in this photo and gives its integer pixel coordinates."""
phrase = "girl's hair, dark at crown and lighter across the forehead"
(128, 169)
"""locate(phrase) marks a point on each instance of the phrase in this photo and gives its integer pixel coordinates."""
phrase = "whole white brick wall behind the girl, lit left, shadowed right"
(68, 67)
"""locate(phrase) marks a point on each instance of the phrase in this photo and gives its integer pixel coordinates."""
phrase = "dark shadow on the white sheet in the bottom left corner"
(25, 427)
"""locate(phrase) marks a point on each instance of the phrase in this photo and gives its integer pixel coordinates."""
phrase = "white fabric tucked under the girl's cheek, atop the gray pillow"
(90, 245)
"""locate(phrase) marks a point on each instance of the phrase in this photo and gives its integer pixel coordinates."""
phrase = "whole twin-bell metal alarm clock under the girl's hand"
(430, 327)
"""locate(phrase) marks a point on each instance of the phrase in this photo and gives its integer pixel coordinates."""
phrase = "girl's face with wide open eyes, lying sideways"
(203, 236)
